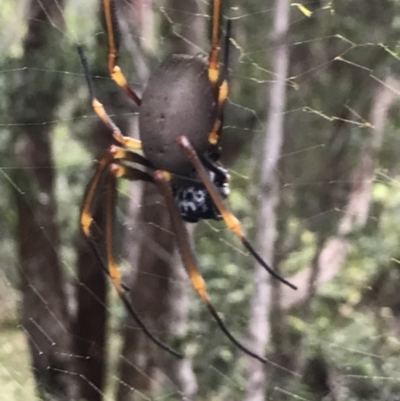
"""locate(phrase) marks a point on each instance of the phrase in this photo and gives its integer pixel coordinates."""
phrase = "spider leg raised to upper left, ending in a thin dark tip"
(101, 112)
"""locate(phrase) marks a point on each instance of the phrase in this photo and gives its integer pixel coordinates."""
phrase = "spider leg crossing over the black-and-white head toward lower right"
(230, 220)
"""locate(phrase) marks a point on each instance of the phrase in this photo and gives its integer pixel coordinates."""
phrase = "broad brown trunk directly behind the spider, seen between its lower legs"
(154, 284)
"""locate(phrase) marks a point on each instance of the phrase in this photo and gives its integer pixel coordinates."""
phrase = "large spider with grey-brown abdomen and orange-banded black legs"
(180, 125)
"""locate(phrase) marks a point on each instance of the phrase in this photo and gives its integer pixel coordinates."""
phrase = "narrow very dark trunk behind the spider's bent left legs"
(91, 286)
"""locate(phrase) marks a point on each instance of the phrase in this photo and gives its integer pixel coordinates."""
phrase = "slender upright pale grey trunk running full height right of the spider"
(259, 328)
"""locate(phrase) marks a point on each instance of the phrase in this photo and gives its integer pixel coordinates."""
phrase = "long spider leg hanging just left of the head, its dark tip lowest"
(162, 180)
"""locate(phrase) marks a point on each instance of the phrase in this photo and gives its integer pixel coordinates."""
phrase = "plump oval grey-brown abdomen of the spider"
(178, 100)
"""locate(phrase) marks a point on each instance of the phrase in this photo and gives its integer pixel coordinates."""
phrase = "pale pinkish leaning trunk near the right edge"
(333, 254)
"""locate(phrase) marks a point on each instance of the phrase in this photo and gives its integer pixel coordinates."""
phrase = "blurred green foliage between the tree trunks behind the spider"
(338, 60)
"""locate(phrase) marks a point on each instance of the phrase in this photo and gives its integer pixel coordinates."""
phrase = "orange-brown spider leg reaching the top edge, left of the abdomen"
(113, 45)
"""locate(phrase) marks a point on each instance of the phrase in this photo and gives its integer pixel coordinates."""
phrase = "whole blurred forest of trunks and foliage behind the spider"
(310, 140)
